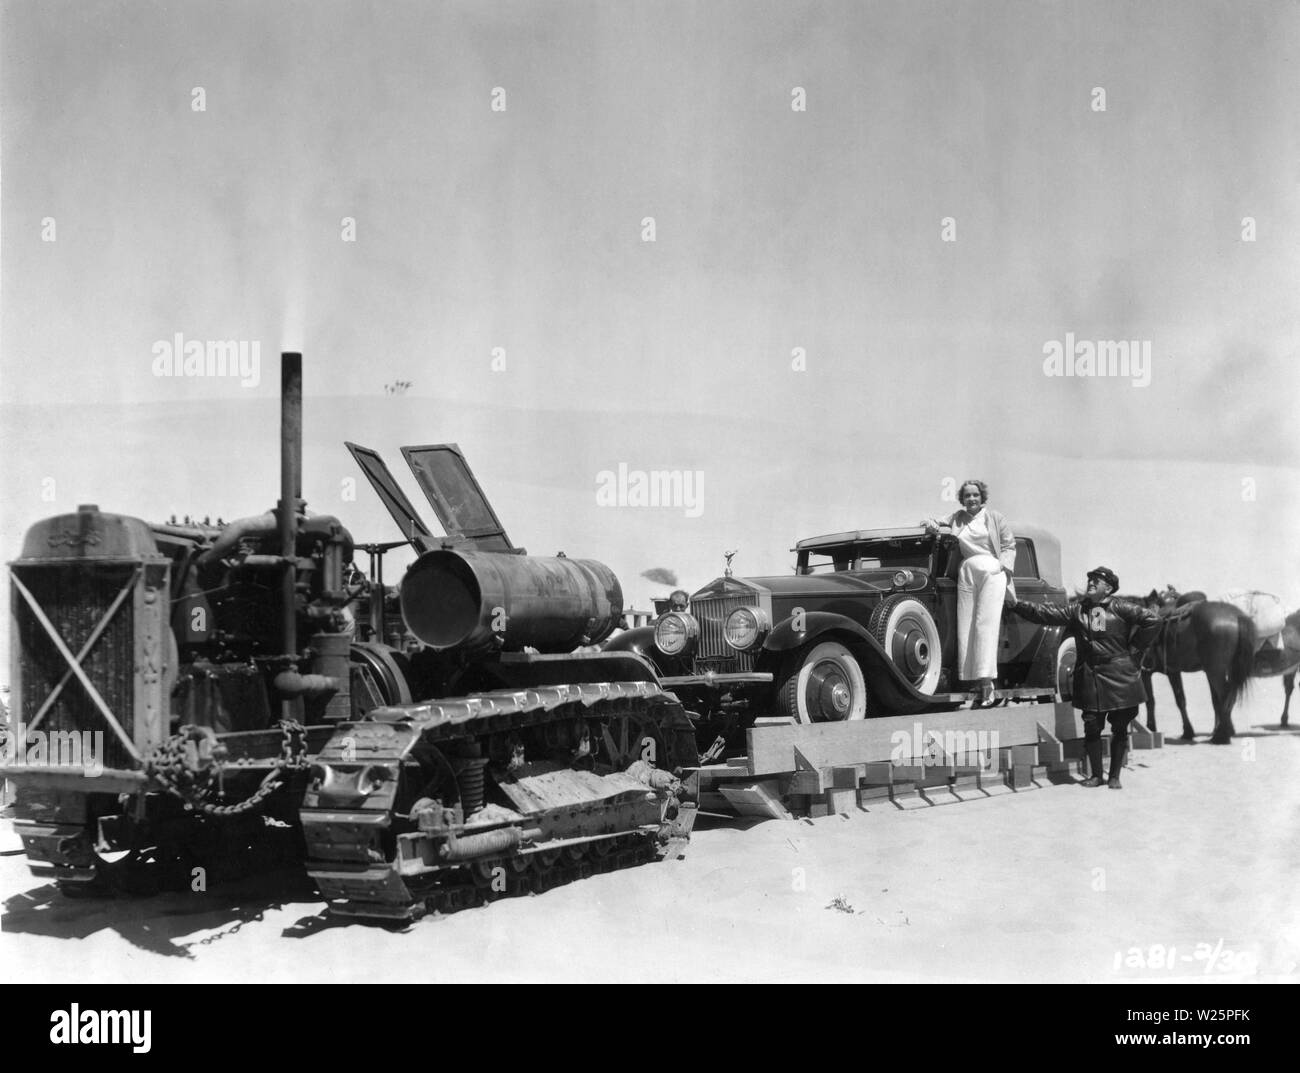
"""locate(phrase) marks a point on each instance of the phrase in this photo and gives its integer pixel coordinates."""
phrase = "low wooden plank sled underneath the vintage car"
(902, 762)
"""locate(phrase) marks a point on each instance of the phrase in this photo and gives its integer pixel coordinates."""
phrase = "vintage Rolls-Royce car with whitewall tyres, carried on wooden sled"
(866, 626)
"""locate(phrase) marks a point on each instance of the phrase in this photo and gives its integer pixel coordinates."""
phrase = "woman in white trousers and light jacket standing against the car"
(989, 559)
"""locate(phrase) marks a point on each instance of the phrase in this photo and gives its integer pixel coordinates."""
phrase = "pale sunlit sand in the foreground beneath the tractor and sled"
(1199, 855)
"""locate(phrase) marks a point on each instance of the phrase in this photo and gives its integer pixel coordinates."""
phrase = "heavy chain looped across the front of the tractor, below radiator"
(192, 765)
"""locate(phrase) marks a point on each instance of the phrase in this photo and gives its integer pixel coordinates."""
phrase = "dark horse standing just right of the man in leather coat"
(1201, 635)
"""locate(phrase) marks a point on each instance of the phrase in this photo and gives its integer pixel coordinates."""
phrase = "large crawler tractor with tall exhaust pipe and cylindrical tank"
(241, 691)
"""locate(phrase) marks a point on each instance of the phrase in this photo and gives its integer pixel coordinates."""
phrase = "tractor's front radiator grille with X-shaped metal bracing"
(75, 599)
